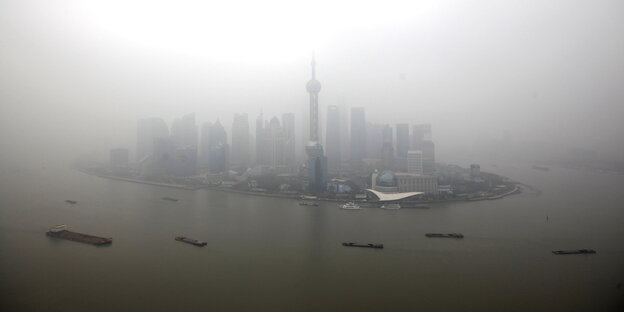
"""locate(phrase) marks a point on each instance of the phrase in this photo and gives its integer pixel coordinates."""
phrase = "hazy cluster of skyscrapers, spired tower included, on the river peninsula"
(395, 159)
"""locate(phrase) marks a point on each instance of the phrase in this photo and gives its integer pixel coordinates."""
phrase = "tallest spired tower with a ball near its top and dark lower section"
(317, 162)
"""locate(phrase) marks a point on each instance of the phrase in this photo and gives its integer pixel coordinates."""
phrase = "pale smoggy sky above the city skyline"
(75, 75)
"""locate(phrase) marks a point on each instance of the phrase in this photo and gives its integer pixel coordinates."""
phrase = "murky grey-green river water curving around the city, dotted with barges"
(269, 254)
